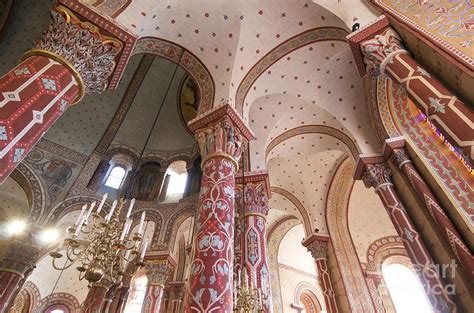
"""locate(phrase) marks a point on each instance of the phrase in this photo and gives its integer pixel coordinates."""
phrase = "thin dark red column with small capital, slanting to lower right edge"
(400, 156)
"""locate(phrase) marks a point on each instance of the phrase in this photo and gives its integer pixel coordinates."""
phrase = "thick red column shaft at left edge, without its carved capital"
(32, 97)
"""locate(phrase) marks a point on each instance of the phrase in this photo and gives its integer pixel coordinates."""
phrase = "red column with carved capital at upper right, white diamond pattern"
(382, 48)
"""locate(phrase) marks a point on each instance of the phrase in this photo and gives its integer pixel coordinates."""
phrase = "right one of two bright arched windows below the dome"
(175, 181)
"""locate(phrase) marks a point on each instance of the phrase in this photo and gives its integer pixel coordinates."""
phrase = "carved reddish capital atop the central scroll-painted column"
(221, 137)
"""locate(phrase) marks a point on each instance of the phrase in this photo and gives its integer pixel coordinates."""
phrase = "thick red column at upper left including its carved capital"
(71, 59)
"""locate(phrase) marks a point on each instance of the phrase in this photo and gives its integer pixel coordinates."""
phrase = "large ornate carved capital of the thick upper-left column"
(81, 45)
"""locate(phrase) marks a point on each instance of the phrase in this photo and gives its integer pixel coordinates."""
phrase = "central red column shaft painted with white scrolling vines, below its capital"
(211, 270)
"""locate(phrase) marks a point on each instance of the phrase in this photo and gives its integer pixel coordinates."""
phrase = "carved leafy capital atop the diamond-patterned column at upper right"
(377, 49)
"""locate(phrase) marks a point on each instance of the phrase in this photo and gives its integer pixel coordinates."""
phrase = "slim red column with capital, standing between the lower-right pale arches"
(317, 244)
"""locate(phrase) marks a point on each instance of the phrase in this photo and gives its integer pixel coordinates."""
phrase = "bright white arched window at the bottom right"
(405, 289)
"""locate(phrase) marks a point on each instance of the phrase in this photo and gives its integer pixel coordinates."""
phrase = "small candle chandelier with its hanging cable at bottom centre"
(248, 298)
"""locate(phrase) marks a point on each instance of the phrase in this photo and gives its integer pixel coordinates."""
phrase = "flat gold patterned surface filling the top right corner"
(449, 23)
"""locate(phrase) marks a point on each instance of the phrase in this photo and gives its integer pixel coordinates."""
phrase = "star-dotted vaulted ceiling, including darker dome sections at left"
(284, 65)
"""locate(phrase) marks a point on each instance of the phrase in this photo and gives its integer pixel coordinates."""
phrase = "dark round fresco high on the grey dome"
(188, 99)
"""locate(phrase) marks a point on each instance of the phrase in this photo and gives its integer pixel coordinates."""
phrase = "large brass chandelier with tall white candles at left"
(106, 249)
